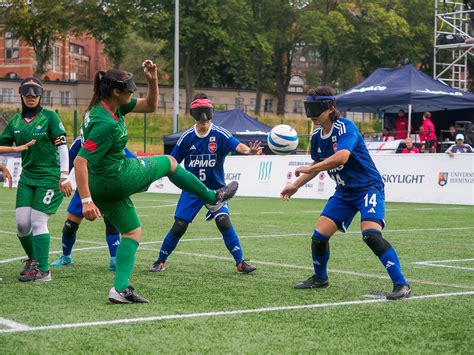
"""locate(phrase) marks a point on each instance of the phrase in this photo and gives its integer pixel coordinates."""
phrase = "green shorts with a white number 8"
(43, 199)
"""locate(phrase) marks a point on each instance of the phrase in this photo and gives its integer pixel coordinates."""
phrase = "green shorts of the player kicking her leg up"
(112, 193)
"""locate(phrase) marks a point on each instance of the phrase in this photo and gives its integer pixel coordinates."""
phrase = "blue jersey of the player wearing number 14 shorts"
(359, 172)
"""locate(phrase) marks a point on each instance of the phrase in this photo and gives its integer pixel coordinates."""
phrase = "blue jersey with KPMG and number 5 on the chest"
(204, 155)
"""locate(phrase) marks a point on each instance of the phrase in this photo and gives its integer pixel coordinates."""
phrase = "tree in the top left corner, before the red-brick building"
(40, 24)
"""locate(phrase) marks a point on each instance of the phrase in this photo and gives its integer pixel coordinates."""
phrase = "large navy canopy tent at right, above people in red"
(391, 89)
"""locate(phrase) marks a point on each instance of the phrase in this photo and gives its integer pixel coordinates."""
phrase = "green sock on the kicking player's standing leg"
(125, 261)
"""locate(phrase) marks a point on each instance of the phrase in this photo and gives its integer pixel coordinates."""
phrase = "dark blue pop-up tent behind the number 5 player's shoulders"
(242, 126)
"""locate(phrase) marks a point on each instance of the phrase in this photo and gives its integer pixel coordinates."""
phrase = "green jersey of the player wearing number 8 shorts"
(40, 162)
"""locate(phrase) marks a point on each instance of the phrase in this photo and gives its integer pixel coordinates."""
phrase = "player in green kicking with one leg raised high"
(106, 178)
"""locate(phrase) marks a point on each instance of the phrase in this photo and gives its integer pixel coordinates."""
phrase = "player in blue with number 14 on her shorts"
(338, 148)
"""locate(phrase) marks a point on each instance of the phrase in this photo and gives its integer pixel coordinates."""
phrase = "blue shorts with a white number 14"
(342, 207)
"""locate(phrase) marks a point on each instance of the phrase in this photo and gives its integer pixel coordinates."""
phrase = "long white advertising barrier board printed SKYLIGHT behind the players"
(430, 178)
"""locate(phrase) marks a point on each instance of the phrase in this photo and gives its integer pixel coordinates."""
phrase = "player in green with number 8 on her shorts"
(44, 178)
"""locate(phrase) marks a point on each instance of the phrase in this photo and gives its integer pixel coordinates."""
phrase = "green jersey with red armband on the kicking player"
(104, 136)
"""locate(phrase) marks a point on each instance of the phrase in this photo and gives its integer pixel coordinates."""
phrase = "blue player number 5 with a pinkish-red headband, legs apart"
(203, 148)
